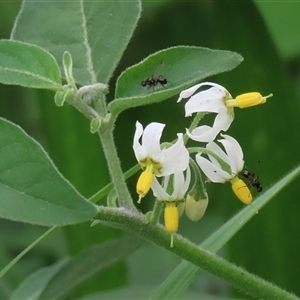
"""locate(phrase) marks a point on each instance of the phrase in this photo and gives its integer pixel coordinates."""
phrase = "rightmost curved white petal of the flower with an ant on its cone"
(234, 153)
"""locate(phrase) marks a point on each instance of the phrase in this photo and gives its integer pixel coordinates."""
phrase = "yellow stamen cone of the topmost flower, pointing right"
(247, 100)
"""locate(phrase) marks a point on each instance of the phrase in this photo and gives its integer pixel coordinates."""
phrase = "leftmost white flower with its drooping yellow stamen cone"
(155, 160)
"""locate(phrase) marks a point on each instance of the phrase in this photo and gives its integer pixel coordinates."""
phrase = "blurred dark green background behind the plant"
(267, 35)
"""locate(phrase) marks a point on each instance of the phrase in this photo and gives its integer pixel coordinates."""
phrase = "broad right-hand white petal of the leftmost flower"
(175, 158)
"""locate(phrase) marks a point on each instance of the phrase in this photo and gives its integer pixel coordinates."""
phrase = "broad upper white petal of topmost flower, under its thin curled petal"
(210, 100)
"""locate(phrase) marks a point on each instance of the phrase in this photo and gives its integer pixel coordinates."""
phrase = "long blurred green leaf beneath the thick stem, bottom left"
(58, 279)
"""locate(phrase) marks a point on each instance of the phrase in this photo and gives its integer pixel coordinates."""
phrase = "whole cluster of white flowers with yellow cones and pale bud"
(172, 162)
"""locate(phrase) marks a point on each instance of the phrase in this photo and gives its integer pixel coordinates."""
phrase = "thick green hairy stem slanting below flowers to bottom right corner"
(236, 276)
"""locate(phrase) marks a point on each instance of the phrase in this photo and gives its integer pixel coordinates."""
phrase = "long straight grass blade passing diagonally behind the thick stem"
(183, 276)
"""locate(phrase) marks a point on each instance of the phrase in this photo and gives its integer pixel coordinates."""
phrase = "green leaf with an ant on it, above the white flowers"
(182, 66)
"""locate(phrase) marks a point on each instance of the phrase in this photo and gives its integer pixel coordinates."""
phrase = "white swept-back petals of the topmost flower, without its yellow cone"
(208, 101)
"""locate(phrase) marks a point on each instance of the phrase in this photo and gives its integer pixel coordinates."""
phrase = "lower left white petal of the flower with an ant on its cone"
(214, 173)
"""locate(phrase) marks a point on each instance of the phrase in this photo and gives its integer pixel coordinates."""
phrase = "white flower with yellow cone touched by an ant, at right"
(229, 169)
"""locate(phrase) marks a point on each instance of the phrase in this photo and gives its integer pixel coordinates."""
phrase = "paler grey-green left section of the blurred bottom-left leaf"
(34, 284)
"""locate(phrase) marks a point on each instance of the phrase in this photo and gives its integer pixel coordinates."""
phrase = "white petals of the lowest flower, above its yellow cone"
(180, 186)
